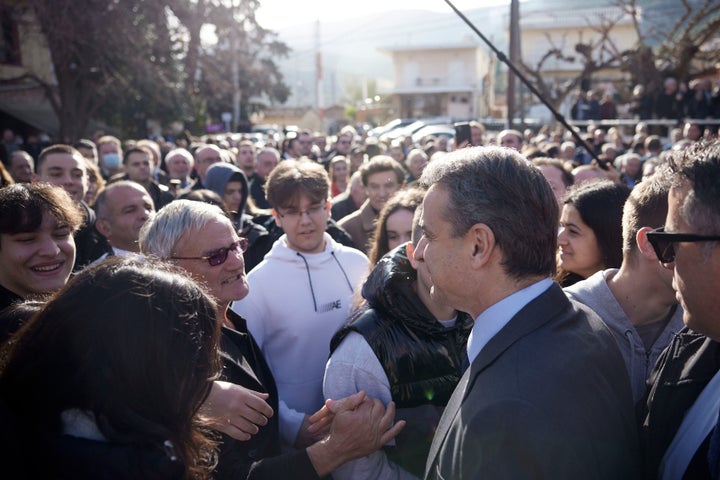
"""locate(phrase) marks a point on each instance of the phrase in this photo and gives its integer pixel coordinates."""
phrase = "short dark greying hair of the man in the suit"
(498, 187)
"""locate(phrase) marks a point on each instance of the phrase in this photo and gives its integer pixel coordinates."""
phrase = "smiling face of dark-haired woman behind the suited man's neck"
(578, 247)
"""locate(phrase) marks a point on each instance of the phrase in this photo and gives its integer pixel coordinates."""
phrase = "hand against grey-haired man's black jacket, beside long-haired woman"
(236, 411)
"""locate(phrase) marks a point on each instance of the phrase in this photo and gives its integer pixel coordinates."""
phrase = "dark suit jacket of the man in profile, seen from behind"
(547, 397)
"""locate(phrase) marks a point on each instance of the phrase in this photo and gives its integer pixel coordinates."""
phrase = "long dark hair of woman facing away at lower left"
(133, 344)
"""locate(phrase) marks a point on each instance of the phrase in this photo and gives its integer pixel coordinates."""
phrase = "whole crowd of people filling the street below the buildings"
(519, 305)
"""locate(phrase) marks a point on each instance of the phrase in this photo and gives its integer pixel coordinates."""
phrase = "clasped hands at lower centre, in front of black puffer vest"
(360, 426)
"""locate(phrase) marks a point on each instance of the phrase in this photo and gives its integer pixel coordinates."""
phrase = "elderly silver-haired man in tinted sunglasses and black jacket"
(198, 238)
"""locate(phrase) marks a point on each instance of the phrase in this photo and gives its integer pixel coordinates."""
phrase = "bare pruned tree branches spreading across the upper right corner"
(682, 43)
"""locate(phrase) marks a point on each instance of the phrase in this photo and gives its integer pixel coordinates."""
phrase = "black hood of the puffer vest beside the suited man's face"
(389, 291)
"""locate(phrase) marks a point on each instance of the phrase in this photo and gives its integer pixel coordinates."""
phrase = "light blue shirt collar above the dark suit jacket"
(494, 318)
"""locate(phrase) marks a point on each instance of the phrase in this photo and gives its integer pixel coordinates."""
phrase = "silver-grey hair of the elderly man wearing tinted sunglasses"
(160, 234)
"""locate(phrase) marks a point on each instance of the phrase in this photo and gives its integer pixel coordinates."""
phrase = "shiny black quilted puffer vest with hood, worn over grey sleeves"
(421, 358)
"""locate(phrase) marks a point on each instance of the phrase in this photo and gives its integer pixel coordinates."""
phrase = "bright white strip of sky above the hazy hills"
(274, 14)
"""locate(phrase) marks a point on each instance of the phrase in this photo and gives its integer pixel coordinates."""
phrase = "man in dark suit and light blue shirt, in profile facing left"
(546, 394)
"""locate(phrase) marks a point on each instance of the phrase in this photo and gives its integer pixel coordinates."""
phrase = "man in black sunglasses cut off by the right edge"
(680, 433)
